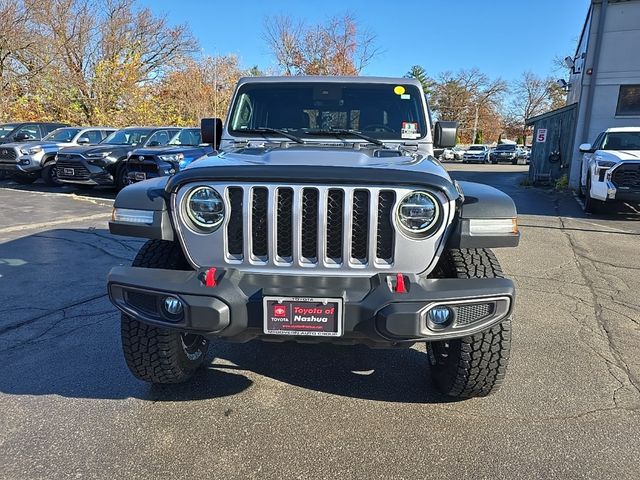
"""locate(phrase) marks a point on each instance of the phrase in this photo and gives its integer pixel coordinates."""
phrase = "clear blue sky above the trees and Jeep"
(503, 38)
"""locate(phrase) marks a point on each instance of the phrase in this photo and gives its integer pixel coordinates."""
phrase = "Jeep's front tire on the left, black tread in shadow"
(155, 354)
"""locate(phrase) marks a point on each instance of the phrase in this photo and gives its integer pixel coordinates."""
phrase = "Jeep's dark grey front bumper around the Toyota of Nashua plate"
(373, 313)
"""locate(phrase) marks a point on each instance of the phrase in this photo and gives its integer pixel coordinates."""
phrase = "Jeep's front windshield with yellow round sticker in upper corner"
(381, 111)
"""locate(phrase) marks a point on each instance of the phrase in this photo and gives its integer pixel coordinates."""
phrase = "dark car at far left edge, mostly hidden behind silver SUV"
(15, 133)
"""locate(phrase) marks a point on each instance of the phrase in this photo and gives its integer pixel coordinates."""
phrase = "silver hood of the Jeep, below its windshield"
(309, 155)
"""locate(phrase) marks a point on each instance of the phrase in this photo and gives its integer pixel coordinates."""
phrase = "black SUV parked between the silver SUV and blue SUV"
(102, 164)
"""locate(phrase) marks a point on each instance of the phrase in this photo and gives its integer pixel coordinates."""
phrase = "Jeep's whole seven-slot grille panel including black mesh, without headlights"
(309, 229)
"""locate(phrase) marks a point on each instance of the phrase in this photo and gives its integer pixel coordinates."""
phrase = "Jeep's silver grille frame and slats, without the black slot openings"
(412, 255)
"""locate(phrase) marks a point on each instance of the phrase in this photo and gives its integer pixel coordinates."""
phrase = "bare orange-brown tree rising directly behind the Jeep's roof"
(336, 47)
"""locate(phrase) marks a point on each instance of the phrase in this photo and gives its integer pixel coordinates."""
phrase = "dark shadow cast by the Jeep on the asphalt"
(63, 337)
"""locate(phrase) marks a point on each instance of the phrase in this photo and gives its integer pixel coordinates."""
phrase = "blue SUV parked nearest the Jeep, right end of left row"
(185, 147)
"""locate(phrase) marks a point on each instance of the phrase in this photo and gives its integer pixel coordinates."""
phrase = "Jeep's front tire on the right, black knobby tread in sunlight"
(476, 365)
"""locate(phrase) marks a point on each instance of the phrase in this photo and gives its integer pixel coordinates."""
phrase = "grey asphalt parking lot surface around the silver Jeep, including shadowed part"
(70, 409)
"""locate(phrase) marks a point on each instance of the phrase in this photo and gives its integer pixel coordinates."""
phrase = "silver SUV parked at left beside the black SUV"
(37, 159)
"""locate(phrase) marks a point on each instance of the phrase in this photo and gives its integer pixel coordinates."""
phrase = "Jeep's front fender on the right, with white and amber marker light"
(487, 218)
